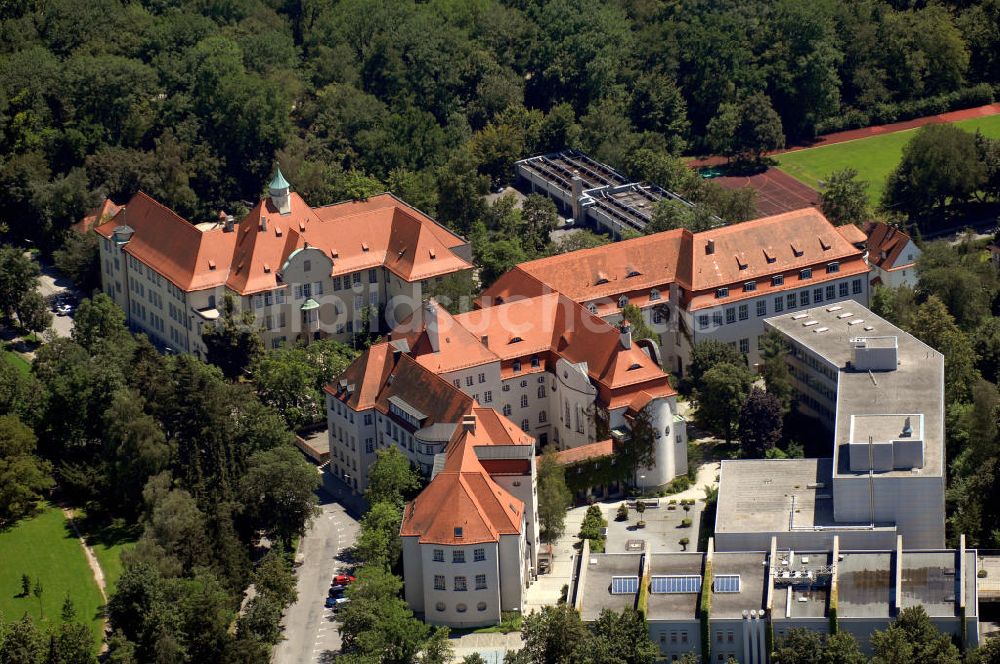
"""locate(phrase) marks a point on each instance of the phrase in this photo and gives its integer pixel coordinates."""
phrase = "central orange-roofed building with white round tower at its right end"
(546, 363)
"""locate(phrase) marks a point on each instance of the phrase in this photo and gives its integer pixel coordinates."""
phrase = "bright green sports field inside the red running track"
(873, 157)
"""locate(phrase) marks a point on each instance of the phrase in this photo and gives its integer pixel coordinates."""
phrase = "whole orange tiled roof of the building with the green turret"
(382, 231)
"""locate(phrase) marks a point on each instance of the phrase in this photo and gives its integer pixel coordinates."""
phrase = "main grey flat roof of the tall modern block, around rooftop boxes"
(916, 386)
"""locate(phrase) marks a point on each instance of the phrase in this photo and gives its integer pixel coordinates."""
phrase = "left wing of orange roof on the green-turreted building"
(190, 258)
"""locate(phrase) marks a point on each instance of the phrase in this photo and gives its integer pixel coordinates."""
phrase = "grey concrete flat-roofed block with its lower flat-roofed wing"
(878, 392)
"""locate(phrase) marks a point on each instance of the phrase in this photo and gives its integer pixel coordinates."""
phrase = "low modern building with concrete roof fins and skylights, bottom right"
(754, 593)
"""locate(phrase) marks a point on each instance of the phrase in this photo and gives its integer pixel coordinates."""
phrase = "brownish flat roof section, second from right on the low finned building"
(865, 584)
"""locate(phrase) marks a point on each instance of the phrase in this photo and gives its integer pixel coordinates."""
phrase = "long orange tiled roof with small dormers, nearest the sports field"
(699, 263)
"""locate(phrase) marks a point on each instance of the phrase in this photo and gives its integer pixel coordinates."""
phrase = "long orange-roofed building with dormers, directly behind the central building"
(718, 284)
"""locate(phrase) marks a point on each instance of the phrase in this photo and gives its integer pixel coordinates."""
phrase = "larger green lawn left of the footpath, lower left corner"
(44, 548)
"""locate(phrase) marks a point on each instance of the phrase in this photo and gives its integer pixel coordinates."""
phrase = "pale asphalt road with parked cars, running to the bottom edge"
(310, 629)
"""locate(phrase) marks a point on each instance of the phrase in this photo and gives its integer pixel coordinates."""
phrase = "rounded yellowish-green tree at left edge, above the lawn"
(24, 478)
